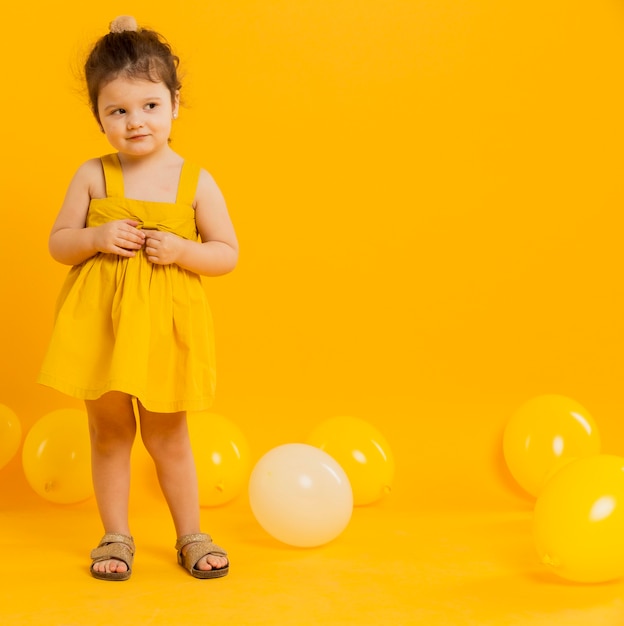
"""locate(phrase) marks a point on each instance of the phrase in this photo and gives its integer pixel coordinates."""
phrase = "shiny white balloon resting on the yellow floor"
(300, 495)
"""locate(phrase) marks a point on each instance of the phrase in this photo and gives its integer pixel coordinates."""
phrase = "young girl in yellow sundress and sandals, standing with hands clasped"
(132, 324)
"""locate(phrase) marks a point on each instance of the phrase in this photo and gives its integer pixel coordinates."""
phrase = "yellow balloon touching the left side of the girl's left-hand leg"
(57, 457)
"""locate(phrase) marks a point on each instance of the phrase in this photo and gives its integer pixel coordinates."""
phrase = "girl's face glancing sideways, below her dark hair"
(136, 115)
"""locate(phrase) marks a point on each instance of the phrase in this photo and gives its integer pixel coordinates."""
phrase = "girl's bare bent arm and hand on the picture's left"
(71, 242)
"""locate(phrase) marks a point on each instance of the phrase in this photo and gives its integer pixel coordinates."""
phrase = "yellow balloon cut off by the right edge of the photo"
(578, 520)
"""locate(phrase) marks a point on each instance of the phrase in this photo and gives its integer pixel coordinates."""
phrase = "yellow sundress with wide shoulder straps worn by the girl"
(129, 325)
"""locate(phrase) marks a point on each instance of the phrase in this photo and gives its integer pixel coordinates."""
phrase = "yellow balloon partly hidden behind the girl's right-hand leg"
(222, 457)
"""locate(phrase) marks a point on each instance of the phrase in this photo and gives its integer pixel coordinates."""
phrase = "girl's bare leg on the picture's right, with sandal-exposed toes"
(166, 438)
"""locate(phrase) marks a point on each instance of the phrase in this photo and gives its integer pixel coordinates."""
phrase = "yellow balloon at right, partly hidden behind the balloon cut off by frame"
(543, 435)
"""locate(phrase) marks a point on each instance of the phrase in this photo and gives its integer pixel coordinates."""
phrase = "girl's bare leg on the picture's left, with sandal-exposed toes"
(112, 428)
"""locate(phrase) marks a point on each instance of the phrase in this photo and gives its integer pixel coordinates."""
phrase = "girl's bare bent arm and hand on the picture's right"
(217, 252)
